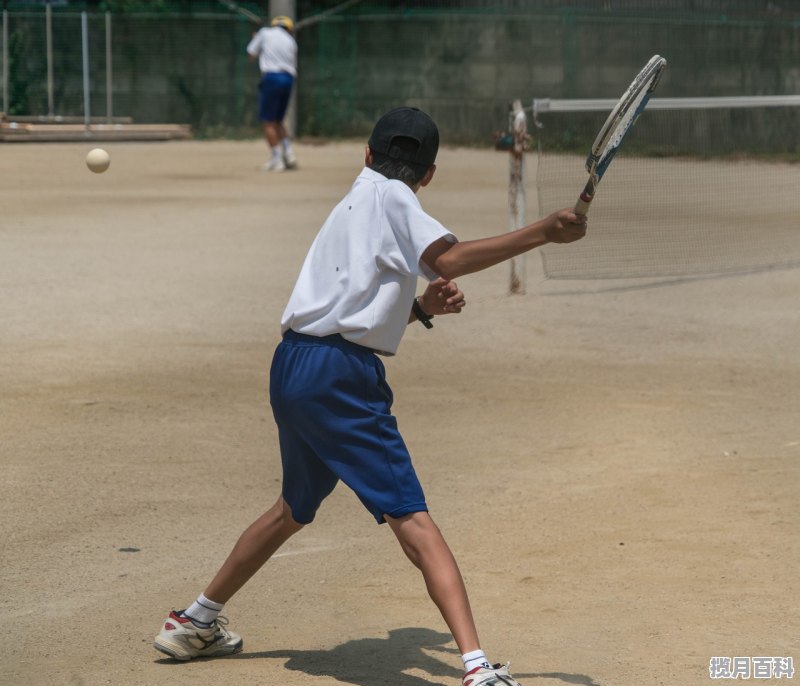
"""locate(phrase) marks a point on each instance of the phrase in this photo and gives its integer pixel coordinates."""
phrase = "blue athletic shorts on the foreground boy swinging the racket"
(332, 405)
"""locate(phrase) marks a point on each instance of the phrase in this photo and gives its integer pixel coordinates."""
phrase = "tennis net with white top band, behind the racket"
(700, 186)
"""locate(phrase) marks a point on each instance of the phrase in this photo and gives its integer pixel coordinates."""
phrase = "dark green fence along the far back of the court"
(464, 62)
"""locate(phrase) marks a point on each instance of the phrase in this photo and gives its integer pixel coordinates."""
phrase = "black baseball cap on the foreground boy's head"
(406, 122)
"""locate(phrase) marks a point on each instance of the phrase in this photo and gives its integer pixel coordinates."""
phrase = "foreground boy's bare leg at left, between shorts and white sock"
(255, 546)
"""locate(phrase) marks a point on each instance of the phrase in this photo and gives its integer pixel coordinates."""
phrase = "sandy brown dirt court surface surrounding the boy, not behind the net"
(616, 466)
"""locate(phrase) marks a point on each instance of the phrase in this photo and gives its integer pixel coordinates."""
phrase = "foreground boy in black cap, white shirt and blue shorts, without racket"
(332, 404)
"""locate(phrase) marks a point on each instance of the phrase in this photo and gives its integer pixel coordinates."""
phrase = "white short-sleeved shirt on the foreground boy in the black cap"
(360, 275)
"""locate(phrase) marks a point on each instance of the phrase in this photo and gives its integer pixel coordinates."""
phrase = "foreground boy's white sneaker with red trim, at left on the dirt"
(181, 639)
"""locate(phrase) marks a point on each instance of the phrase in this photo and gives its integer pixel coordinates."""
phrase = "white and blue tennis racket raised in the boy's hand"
(617, 126)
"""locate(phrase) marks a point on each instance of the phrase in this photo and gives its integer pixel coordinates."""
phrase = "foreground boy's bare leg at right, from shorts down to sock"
(425, 546)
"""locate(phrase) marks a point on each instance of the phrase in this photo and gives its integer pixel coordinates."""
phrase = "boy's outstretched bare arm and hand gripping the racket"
(451, 260)
